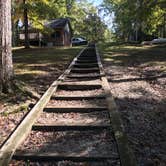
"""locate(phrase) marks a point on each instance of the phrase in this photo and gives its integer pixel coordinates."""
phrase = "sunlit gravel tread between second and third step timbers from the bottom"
(94, 118)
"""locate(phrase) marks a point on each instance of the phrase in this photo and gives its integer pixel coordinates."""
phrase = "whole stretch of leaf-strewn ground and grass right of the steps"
(137, 77)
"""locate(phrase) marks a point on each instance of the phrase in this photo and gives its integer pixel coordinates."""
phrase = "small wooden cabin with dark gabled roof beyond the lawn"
(60, 35)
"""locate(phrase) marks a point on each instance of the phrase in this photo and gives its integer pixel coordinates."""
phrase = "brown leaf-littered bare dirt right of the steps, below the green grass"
(141, 104)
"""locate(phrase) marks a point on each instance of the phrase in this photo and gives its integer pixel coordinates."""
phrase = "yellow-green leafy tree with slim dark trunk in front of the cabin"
(36, 13)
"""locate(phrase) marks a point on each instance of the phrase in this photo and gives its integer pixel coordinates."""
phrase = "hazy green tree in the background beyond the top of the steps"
(85, 21)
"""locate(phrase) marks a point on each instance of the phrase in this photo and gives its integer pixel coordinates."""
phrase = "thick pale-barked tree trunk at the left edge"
(6, 46)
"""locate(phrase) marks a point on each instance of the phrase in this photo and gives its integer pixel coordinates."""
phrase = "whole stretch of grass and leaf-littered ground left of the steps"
(35, 70)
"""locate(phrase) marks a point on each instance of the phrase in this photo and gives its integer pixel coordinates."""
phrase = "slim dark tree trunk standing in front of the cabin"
(26, 42)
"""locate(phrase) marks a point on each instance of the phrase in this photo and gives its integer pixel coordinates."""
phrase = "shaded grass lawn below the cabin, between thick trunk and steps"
(36, 62)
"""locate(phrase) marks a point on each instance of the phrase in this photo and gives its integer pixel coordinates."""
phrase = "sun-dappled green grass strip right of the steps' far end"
(135, 55)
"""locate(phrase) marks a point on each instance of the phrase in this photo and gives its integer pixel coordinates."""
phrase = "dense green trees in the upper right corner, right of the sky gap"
(137, 18)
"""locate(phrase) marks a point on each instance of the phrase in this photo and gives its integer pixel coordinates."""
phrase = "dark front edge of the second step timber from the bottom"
(52, 127)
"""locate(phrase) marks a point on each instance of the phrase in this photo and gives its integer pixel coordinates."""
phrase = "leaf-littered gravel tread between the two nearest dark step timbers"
(84, 143)
